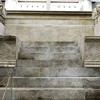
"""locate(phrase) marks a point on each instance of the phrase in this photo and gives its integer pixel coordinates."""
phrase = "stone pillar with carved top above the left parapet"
(2, 16)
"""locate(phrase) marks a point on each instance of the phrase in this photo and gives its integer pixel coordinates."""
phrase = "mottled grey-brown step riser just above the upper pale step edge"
(56, 72)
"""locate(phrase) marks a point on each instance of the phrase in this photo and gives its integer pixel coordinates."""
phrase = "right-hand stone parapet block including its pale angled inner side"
(90, 50)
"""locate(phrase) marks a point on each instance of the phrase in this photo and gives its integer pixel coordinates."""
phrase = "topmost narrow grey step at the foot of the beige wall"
(46, 44)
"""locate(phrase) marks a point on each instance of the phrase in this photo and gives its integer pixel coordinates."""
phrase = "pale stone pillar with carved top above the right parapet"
(96, 17)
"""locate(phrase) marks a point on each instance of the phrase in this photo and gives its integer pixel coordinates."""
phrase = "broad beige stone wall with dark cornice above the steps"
(49, 26)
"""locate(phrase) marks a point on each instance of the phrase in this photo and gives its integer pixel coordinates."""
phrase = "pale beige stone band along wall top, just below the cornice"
(45, 21)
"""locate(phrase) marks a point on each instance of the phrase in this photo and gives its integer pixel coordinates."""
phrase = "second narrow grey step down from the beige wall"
(63, 49)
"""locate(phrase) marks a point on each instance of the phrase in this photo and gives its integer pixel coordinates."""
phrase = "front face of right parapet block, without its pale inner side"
(92, 51)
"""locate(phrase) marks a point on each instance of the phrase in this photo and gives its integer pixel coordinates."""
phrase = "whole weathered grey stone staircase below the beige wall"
(53, 71)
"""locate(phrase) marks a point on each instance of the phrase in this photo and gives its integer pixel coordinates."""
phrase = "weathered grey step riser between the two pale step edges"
(56, 82)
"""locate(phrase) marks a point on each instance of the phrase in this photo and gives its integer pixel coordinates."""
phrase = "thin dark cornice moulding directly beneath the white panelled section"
(50, 12)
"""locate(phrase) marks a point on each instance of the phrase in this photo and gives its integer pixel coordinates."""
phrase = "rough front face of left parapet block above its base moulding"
(7, 48)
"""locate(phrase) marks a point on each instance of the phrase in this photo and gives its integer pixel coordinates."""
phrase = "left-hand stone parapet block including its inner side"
(8, 49)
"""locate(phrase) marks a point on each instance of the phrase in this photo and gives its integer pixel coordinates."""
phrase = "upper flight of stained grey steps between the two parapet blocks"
(49, 54)
